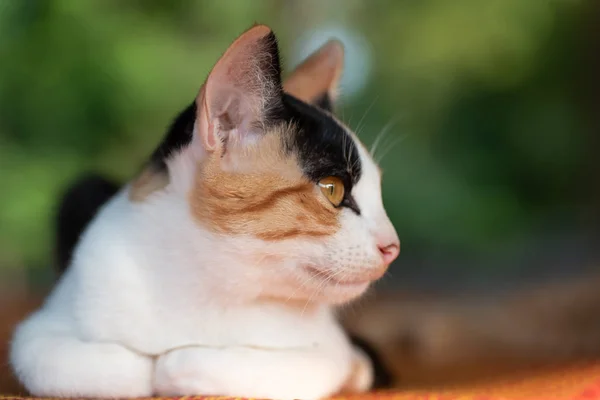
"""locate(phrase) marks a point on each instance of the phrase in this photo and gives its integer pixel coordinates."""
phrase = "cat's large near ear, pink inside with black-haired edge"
(242, 92)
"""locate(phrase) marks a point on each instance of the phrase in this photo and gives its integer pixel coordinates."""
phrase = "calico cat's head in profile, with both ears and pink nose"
(285, 188)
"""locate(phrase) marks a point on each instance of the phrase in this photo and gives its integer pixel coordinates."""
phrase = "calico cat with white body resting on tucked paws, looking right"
(219, 267)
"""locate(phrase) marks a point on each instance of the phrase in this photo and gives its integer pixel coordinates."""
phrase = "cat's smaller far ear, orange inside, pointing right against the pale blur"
(316, 80)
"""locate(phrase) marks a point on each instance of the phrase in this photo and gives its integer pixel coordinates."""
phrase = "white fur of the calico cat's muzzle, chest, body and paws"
(154, 304)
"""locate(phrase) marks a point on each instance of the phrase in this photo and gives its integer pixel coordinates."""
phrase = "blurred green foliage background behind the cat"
(489, 110)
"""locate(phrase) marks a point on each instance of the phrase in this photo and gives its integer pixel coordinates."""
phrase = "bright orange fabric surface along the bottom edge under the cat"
(574, 383)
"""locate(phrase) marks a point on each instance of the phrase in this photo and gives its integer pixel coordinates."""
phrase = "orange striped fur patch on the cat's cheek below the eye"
(272, 202)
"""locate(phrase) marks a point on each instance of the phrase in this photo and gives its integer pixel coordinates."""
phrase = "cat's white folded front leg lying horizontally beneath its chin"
(249, 372)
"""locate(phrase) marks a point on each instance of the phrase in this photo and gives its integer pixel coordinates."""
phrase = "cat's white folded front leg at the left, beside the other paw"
(51, 361)
